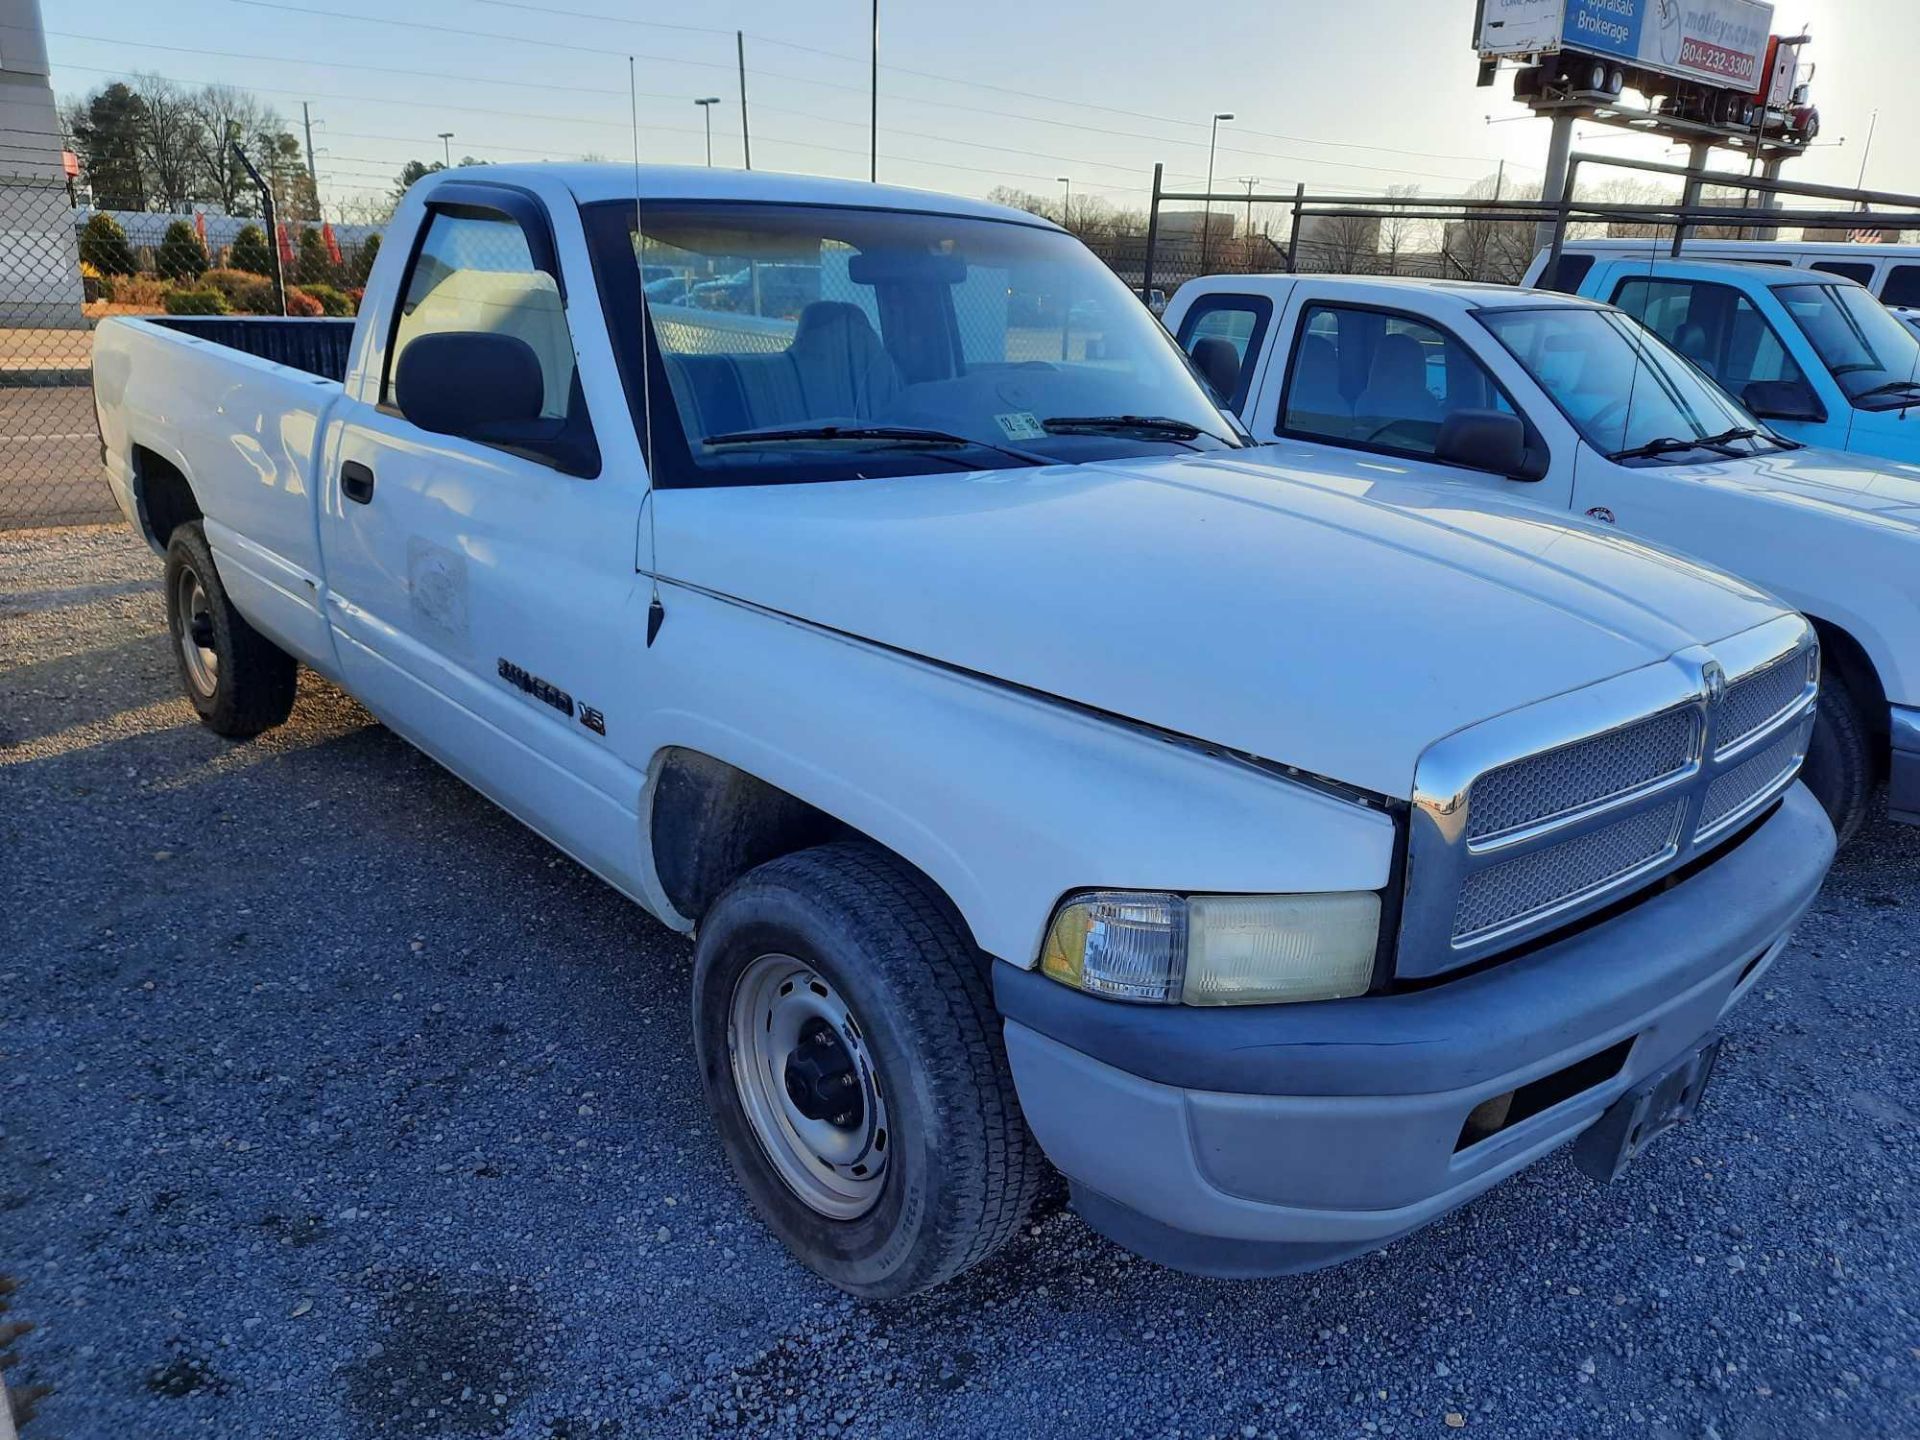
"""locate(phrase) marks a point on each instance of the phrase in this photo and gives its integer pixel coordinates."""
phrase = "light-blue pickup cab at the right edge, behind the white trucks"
(1815, 356)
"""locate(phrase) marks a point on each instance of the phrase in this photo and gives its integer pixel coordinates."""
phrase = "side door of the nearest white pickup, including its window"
(485, 596)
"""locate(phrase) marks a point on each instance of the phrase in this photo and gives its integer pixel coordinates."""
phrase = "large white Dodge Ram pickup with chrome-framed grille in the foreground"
(1038, 769)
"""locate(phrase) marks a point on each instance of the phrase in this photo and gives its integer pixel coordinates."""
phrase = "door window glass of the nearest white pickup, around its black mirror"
(477, 274)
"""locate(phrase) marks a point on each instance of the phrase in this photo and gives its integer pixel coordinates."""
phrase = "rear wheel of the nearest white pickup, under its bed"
(251, 684)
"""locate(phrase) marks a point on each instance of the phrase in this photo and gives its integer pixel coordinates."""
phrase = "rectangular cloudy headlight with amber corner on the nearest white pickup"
(1214, 949)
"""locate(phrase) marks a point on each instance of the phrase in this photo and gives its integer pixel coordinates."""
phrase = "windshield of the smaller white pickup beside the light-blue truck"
(1623, 389)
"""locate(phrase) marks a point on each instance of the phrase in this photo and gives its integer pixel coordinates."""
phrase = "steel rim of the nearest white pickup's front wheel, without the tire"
(780, 1007)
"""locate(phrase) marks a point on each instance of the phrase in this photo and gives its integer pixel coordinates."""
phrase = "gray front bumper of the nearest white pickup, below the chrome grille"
(1289, 1138)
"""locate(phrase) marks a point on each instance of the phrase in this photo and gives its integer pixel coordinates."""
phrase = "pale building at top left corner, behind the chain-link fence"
(39, 256)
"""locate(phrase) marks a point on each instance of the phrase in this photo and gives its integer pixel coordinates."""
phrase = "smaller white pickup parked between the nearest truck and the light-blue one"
(1572, 408)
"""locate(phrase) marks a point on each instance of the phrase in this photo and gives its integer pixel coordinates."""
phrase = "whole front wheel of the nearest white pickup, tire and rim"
(853, 1063)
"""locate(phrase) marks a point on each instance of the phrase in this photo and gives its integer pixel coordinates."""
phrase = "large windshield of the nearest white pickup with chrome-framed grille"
(800, 343)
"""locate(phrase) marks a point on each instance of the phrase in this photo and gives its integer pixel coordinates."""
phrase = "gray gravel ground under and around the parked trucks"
(337, 1105)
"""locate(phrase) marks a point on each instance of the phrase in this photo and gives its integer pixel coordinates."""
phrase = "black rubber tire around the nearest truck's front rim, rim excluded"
(961, 1170)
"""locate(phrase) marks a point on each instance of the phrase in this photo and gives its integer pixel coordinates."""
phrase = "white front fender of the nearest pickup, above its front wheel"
(1005, 800)
